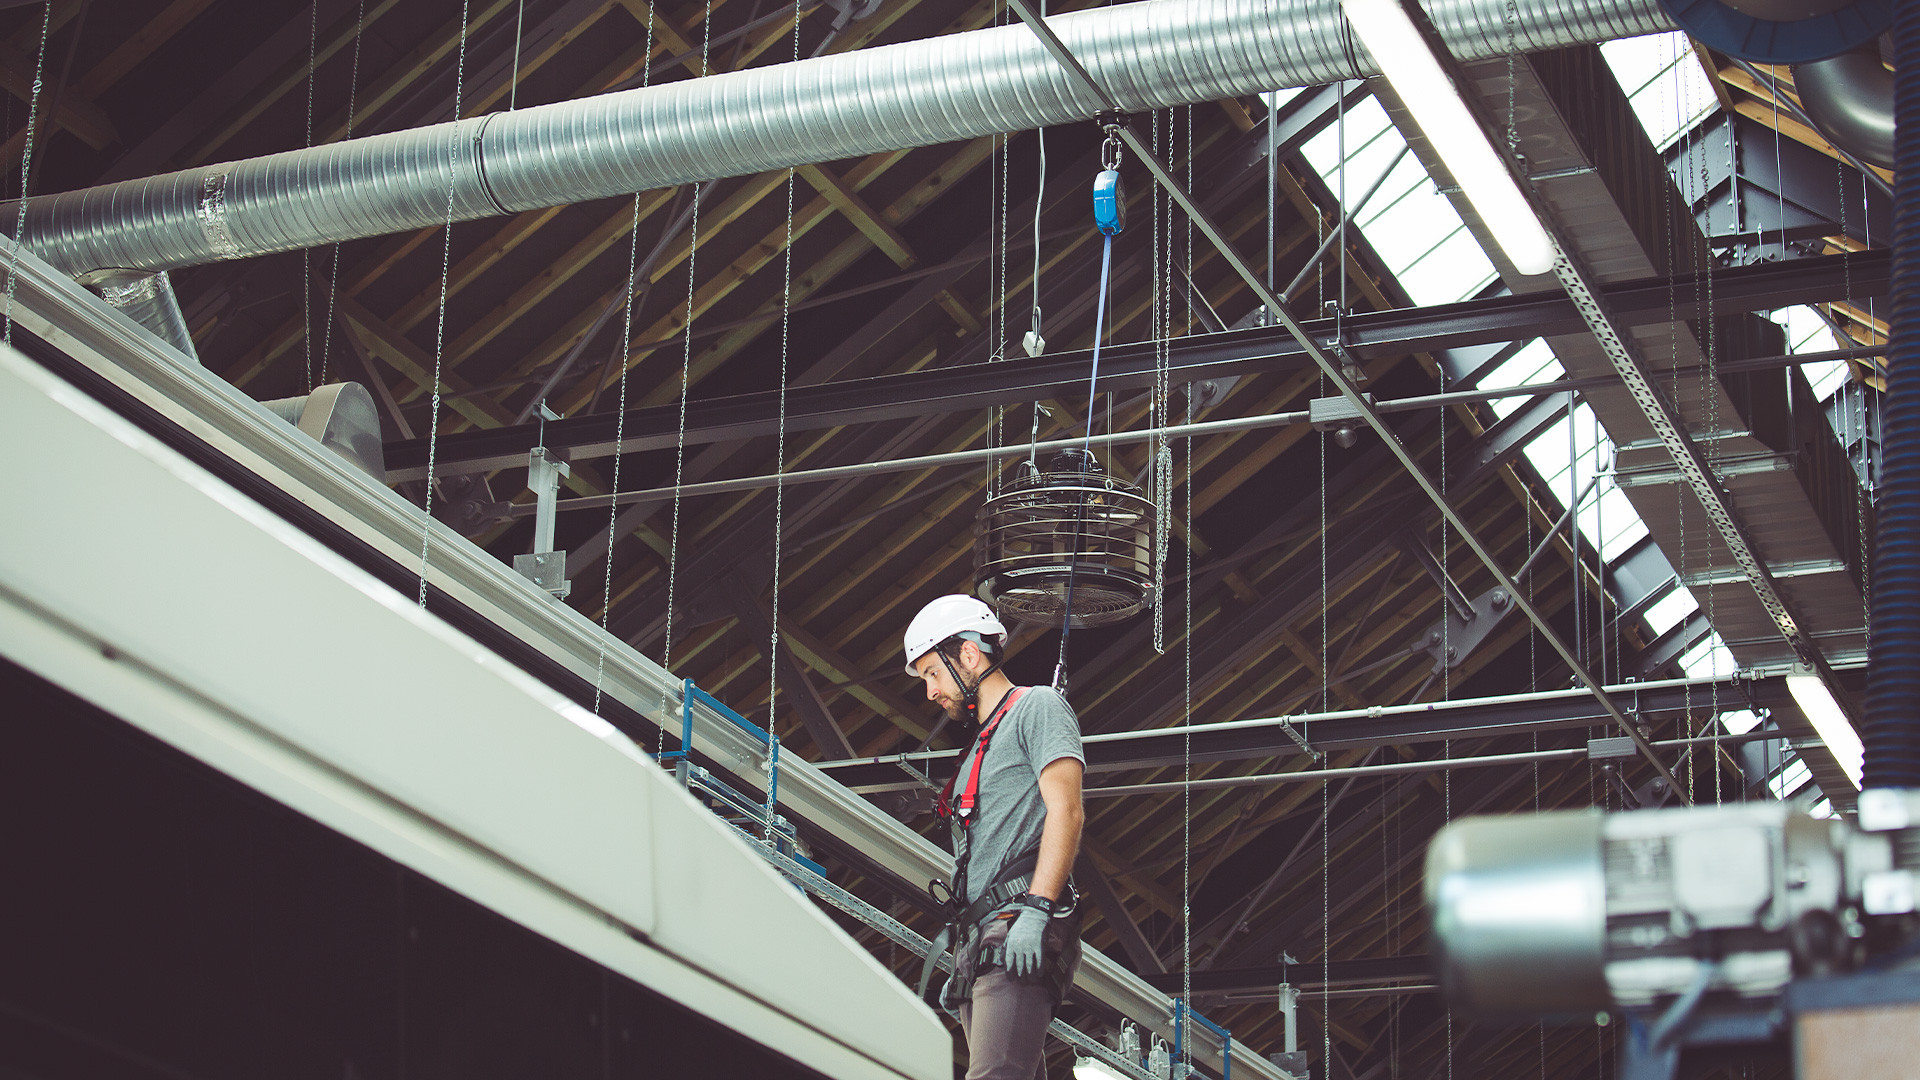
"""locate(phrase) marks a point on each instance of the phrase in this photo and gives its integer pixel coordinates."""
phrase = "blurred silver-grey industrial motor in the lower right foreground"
(1564, 914)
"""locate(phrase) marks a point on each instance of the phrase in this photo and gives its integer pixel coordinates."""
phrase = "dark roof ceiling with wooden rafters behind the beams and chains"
(1301, 577)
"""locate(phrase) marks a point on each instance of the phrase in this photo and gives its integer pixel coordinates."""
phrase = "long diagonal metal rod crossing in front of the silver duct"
(1356, 403)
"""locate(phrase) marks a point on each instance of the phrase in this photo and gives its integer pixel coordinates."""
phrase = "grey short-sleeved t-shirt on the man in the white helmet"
(1009, 816)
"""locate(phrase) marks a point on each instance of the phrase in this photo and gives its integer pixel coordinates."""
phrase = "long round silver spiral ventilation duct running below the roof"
(1153, 55)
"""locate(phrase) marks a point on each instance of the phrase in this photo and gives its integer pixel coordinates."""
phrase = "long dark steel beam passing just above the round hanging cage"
(1134, 368)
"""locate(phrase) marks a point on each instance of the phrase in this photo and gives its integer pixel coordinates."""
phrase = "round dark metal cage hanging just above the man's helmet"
(1059, 526)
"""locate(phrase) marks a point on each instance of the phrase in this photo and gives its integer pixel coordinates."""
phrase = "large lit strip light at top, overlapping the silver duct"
(1443, 118)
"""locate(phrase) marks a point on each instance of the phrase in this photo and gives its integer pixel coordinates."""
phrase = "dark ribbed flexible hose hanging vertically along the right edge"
(1892, 733)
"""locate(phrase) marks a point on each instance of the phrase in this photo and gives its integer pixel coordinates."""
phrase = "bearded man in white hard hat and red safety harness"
(1015, 808)
